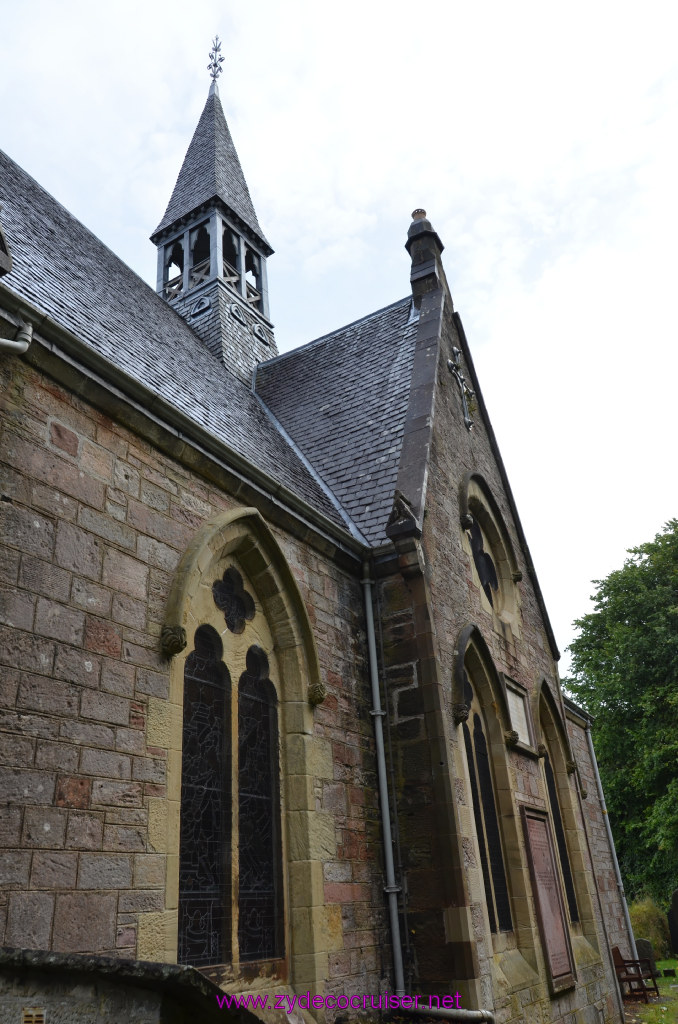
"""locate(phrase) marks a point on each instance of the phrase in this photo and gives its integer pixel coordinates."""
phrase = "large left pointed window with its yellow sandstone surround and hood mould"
(237, 603)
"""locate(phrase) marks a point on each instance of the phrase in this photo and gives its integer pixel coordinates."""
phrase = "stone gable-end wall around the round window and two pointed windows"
(425, 611)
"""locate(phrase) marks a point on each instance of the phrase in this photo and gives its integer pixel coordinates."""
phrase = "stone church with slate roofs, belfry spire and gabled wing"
(280, 710)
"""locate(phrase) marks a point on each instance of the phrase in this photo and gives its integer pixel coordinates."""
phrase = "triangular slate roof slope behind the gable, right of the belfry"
(344, 401)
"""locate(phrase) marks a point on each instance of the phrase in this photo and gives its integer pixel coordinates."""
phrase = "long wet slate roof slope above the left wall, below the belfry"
(68, 274)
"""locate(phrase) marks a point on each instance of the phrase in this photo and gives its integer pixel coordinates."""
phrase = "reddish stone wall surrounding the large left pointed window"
(95, 522)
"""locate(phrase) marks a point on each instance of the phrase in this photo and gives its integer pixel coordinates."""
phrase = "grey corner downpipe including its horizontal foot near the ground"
(392, 888)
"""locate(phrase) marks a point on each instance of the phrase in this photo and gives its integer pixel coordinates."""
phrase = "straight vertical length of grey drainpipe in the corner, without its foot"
(392, 889)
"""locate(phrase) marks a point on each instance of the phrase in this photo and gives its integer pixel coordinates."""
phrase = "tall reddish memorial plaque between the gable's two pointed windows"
(548, 900)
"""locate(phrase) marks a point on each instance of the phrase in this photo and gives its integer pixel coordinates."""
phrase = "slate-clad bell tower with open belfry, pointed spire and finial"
(211, 250)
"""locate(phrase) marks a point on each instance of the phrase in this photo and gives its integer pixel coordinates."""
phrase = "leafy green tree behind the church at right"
(625, 665)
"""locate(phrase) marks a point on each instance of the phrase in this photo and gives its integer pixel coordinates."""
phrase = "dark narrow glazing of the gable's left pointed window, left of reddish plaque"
(487, 821)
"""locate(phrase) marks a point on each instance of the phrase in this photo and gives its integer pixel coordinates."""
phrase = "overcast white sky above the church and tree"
(540, 138)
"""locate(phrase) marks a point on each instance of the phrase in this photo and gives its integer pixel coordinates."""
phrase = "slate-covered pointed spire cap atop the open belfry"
(211, 170)
